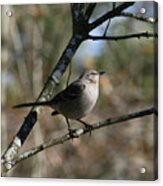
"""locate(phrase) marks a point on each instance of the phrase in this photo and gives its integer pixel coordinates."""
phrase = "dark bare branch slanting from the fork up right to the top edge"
(110, 14)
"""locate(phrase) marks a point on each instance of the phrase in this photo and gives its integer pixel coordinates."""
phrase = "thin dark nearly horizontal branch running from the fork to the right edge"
(129, 36)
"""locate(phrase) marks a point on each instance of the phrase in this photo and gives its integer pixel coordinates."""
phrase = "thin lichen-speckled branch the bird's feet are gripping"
(81, 131)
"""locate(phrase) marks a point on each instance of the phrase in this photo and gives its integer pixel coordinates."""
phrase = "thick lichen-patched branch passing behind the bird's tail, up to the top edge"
(48, 89)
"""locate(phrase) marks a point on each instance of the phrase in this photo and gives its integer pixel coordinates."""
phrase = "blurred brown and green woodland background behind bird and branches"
(33, 39)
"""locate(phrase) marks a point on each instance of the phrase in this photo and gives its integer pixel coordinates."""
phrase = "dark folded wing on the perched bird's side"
(73, 91)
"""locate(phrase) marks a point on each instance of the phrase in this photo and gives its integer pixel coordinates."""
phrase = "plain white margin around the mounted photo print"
(61, 182)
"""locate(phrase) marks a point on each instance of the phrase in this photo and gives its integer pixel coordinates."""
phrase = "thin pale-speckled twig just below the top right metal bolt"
(137, 17)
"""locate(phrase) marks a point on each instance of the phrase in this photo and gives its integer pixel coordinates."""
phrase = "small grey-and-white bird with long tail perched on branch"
(77, 100)
